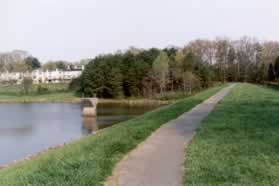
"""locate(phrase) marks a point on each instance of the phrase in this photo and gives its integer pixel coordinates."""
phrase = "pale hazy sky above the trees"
(75, 29)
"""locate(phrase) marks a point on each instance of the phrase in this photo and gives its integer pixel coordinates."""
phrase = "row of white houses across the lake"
(44, 76)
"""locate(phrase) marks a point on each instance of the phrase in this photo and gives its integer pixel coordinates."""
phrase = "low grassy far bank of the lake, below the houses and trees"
(60, 93)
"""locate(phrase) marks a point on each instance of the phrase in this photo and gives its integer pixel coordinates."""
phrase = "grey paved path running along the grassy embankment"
(158, 161)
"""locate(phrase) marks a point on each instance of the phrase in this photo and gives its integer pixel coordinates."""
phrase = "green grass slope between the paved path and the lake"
(90, 160)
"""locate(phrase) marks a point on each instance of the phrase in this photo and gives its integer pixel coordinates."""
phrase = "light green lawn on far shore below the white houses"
(53, 93)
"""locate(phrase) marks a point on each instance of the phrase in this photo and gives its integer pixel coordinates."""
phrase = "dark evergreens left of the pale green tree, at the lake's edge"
(119, 74)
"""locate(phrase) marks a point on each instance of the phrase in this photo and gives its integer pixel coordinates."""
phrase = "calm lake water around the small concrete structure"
(30, 128)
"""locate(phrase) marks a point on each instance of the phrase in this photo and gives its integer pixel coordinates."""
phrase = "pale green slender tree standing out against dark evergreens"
(160, 69)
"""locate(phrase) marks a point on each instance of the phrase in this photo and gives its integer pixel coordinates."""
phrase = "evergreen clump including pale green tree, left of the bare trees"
(138, 72)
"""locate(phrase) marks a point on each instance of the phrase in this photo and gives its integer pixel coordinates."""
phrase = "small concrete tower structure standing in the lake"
(89, 106)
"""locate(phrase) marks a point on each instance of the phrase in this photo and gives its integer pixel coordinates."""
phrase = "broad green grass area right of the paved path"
(238, 143)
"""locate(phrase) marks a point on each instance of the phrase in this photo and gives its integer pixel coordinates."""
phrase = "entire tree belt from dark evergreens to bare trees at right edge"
(200, 63)
